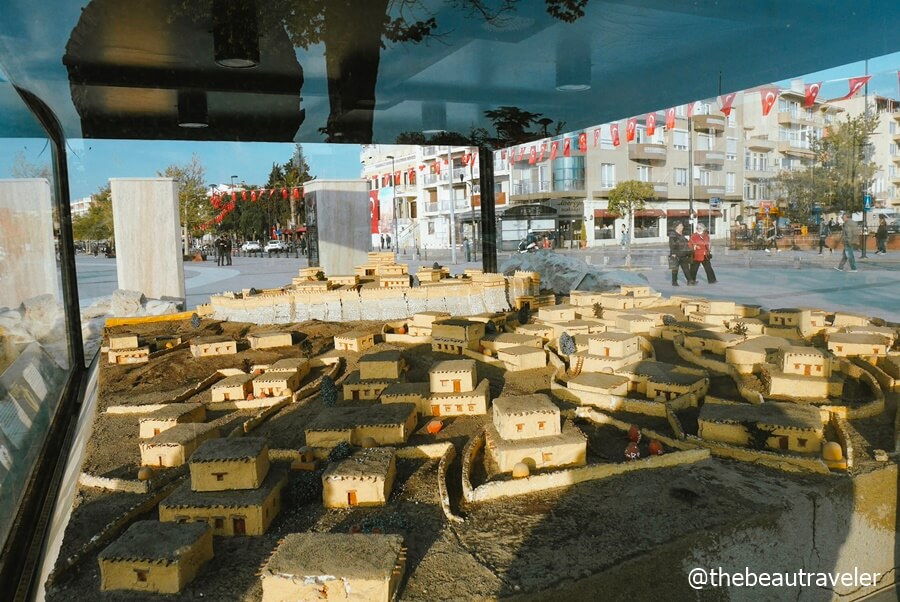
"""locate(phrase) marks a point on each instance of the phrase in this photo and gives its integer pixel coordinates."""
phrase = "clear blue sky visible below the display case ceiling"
(93, 162)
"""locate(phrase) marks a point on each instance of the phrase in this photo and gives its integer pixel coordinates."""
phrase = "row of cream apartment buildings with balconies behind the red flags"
(723, 167)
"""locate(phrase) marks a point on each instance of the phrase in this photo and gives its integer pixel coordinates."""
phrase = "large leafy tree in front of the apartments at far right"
(839, 173)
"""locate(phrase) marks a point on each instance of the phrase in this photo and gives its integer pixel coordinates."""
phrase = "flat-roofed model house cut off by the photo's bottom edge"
(334, 566)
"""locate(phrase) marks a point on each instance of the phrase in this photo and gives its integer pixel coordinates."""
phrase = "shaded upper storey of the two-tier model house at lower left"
(230, 463)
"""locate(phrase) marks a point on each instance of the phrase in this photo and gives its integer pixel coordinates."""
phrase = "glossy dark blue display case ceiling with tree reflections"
(113, 69)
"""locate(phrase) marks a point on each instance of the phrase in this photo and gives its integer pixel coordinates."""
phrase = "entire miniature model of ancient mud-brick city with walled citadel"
(352, 437)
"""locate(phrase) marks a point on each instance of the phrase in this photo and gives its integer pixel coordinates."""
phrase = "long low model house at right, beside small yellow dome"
(774, 425)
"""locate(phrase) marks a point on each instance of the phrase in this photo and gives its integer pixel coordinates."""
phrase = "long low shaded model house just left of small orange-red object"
(386, 424)
